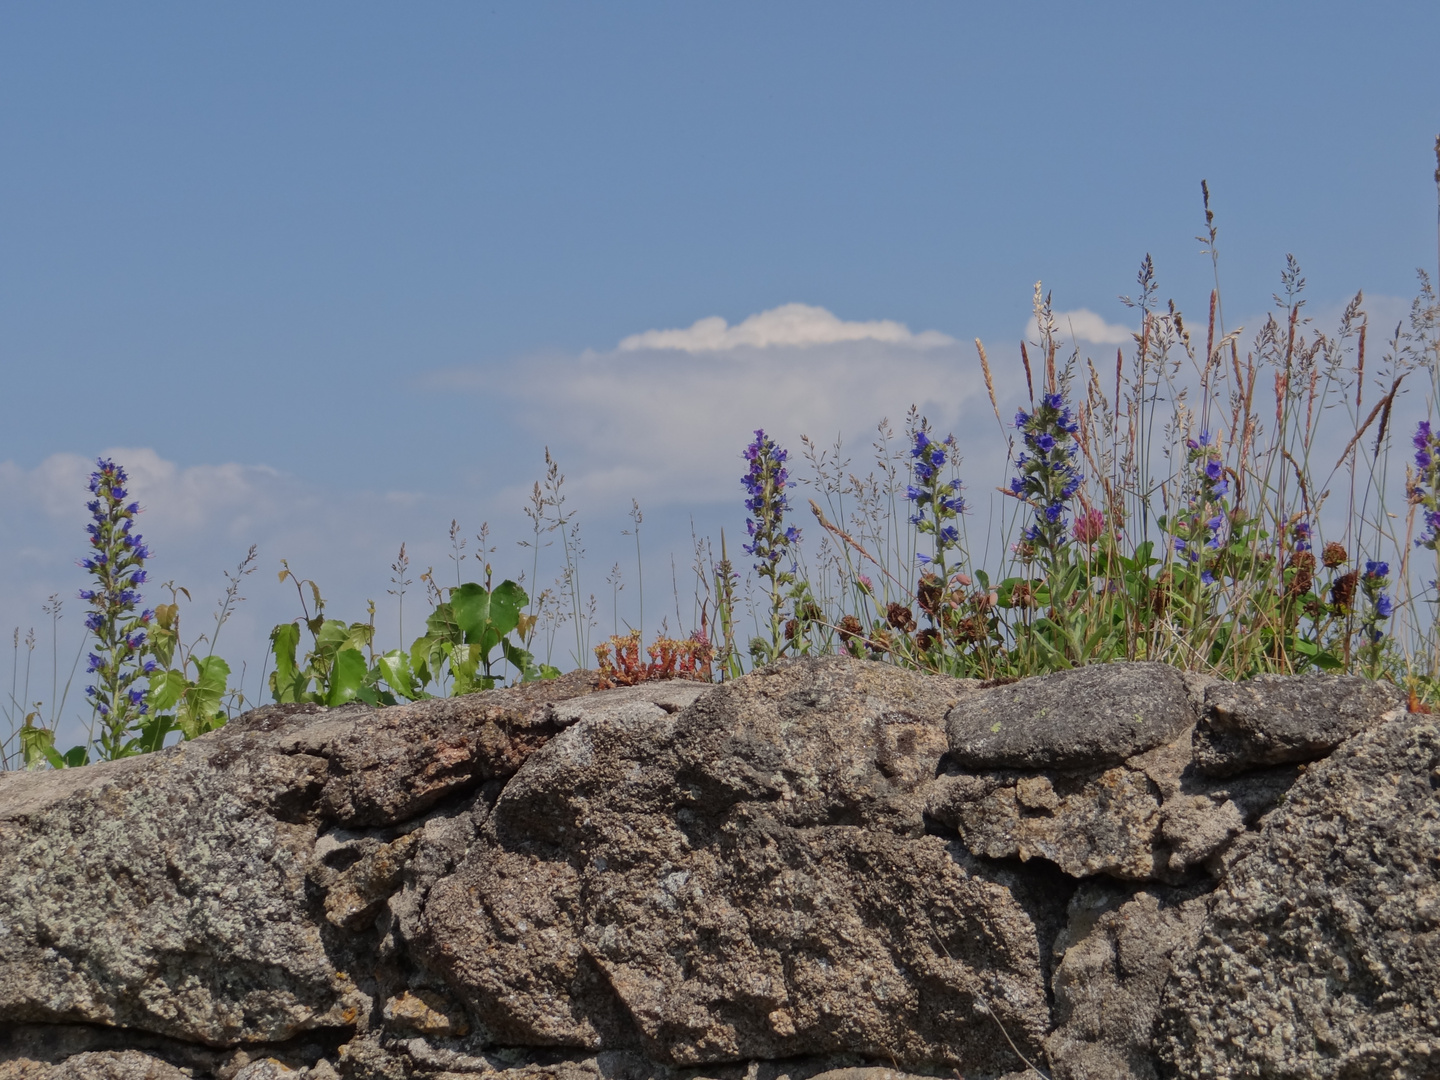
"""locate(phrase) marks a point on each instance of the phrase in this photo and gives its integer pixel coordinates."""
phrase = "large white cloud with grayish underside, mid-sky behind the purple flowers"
(640, 423)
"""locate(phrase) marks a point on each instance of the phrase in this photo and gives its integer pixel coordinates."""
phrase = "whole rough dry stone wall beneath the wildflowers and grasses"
(829, 869)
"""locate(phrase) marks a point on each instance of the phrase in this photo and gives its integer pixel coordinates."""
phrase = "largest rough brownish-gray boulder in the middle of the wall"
(747, 879)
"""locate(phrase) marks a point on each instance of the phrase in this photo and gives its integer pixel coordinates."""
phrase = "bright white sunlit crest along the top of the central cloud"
(800, 326)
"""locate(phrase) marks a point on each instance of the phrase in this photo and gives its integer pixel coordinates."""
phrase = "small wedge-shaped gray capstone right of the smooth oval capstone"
(1285, 719)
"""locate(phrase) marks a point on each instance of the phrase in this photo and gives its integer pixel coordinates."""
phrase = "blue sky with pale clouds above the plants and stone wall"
(335, 274)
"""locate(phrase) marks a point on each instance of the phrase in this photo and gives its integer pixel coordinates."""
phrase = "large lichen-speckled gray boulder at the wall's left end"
(159, 899)
